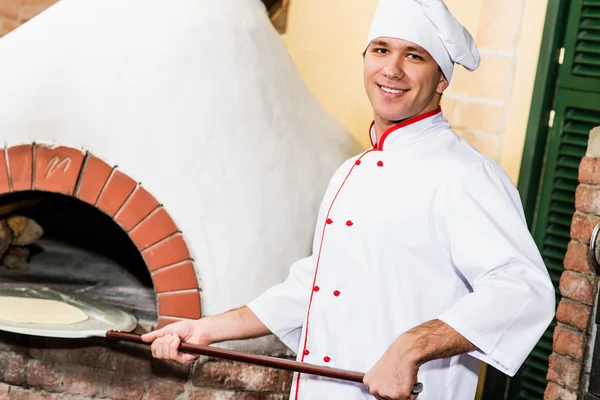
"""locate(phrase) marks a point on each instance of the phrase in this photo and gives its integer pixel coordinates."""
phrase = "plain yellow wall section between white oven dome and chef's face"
(325, 40)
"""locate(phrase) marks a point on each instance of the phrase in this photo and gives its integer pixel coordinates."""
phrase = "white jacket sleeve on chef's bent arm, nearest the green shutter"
(512, 299)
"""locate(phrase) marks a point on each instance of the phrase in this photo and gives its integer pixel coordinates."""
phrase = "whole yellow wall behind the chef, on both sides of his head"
(488, 107)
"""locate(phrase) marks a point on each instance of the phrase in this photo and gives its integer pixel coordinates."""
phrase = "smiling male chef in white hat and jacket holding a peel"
(422, 265)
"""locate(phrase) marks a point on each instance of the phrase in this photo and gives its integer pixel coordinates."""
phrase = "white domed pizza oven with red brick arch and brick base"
(174, 172)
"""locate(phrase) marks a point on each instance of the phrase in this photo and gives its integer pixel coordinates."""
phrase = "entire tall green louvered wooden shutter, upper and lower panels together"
(577, 111)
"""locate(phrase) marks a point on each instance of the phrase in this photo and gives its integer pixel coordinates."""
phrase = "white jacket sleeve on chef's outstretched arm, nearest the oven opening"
(282, 308)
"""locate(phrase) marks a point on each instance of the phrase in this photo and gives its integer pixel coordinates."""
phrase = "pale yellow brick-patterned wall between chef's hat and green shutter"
(476, 104)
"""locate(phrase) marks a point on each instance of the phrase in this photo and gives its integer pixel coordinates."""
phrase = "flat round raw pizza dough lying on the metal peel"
(25, 310)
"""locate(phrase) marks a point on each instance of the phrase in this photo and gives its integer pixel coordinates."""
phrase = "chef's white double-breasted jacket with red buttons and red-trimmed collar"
(419, 227)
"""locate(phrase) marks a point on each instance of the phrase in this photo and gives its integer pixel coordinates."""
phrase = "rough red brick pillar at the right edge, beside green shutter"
(567, 372)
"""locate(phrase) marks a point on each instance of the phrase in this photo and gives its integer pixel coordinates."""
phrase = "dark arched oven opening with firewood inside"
(82, 250)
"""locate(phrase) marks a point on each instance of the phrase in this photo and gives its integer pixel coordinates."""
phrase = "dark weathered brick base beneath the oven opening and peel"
(58, 369)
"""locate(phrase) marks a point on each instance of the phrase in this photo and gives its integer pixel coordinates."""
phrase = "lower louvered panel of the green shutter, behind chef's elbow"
(576, 113)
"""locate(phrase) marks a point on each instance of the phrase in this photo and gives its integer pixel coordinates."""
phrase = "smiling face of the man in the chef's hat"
(402, 80)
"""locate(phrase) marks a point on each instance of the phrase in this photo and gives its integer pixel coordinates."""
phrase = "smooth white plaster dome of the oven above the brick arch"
(197, 100)
